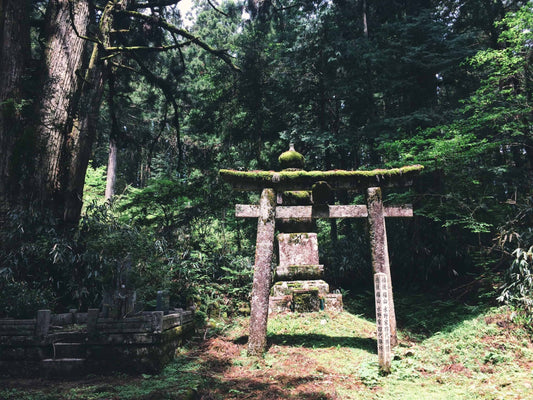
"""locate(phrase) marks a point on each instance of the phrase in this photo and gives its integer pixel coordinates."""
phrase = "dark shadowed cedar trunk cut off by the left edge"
(14, 54)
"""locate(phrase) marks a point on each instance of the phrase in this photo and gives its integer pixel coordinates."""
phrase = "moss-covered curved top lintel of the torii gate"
(304, 180)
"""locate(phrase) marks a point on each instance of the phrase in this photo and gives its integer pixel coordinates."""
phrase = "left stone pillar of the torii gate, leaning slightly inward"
(262, 273)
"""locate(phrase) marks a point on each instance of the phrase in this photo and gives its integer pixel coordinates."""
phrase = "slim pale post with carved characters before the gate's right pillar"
(381, 292)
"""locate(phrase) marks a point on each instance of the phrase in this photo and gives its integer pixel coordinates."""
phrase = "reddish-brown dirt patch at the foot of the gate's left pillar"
(284, 373)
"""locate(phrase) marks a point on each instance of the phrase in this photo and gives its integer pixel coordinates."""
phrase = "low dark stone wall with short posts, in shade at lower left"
(76, 344)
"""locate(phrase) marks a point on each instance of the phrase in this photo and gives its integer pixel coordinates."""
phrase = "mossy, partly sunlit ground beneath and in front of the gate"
(446, 351)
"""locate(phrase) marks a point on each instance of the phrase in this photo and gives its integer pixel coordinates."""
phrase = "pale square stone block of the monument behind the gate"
(298, 249)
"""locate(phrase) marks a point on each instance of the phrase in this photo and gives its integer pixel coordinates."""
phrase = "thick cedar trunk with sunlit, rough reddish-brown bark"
(64, 58)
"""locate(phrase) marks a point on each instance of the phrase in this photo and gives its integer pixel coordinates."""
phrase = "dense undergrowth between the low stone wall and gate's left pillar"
(45, 264)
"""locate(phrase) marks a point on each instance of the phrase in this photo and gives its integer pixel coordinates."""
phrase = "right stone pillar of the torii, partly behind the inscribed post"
(379, 250)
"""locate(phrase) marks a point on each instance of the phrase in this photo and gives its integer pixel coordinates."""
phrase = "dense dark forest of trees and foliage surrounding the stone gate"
(116, 117)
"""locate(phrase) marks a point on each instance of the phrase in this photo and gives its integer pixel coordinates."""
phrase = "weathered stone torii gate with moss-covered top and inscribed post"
(293, 178)
